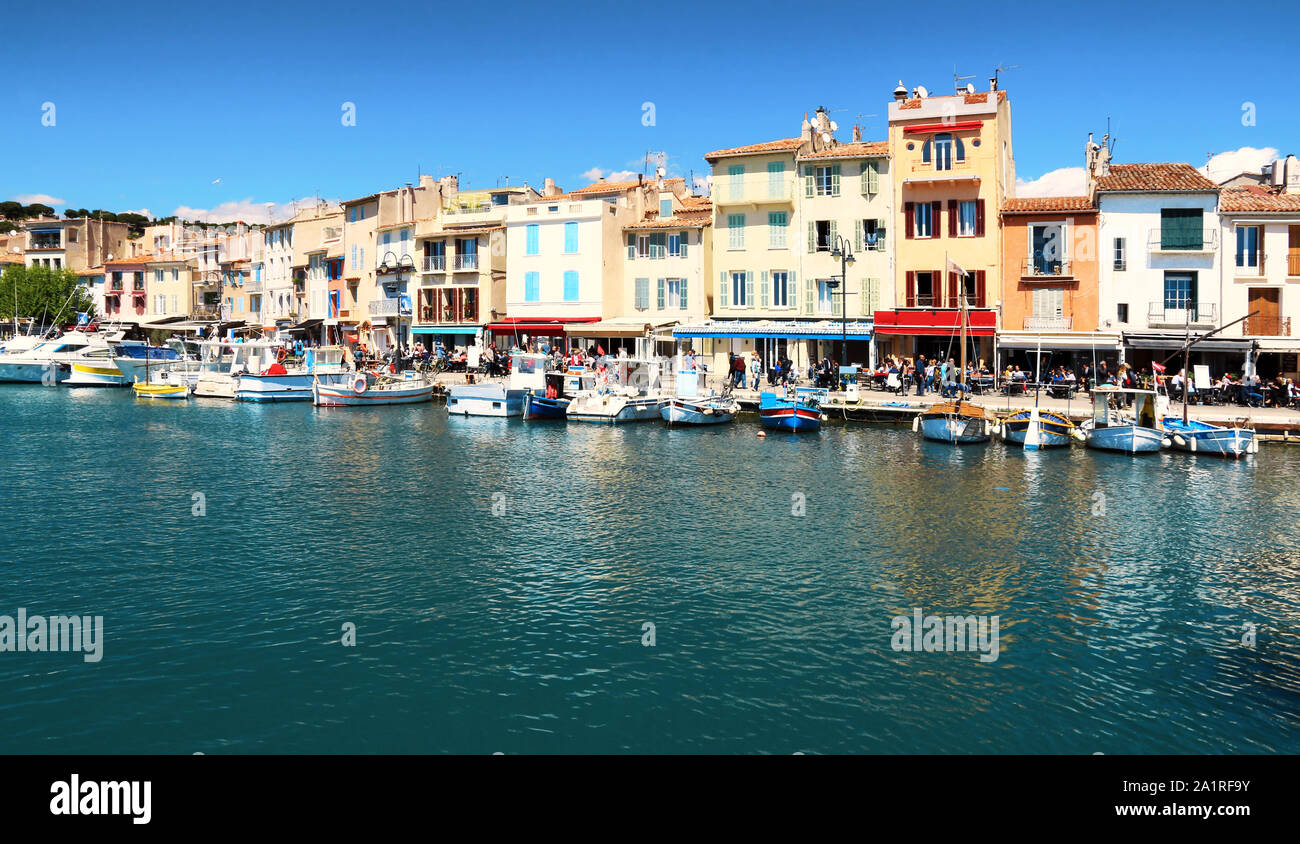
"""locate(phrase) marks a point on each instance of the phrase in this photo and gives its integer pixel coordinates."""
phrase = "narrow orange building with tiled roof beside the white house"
(1050, 283)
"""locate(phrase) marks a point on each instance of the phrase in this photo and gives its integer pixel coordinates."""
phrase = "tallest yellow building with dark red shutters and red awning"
(954, 167)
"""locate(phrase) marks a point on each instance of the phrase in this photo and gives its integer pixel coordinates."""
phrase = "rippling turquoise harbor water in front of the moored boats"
(1121, 586)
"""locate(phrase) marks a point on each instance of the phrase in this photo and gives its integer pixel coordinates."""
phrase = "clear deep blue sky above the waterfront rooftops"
(154, 103)
